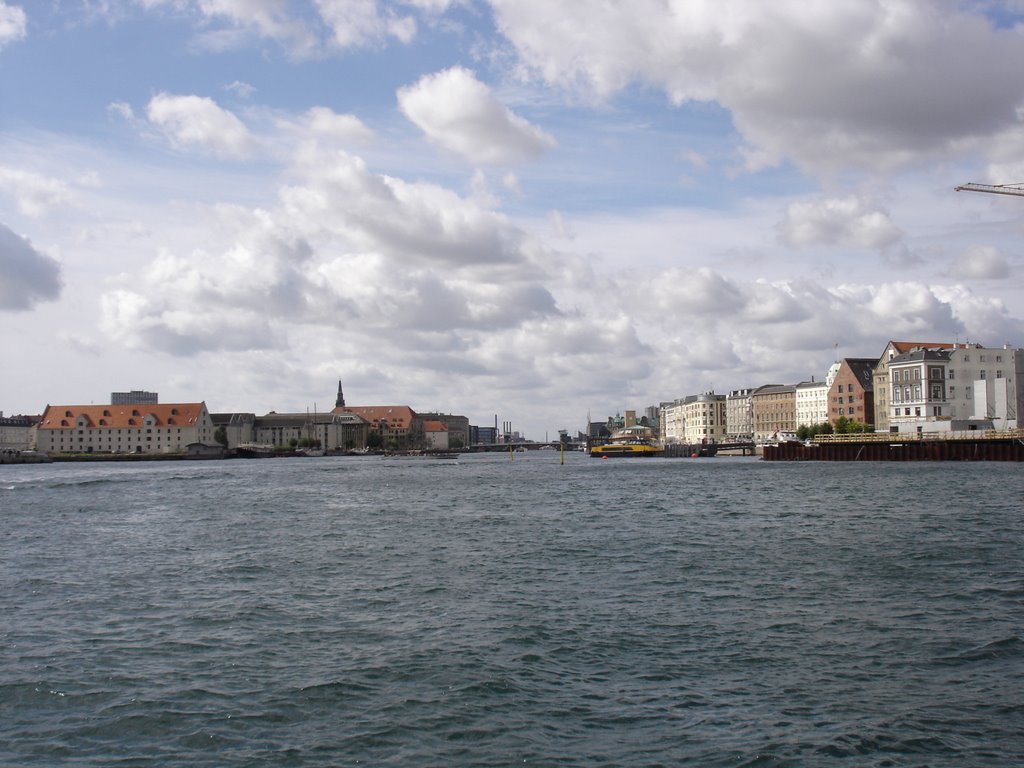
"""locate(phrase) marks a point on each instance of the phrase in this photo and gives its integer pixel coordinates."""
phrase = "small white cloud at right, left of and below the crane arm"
(843, 222)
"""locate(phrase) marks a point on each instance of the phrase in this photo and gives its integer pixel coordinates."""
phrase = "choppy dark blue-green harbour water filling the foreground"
(498, 612)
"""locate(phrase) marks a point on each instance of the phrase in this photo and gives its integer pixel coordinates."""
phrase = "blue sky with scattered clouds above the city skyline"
(511, 209)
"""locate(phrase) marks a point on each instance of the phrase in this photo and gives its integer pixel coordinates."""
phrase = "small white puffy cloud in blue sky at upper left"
(198, 121)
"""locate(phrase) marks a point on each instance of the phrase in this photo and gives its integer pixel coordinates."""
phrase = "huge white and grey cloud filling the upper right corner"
(849, 83)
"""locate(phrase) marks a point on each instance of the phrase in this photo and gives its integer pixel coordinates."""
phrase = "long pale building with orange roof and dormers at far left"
(133, 429)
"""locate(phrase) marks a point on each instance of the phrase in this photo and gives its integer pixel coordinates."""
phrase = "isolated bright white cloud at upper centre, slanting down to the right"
(458, 112)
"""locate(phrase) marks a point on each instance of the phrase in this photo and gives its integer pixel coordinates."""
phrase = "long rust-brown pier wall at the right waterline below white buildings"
(1005, 446)
